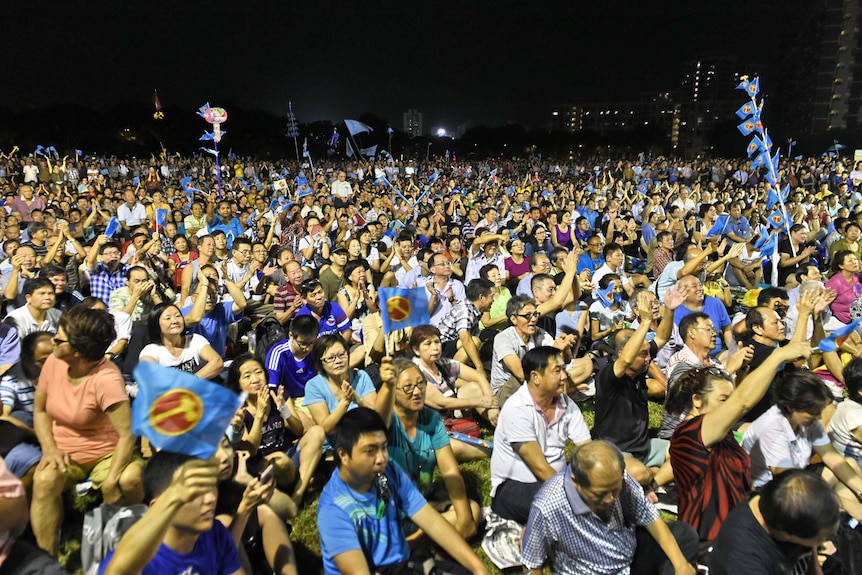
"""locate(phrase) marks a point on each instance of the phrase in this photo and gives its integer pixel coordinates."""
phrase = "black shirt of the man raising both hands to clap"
(622, 411)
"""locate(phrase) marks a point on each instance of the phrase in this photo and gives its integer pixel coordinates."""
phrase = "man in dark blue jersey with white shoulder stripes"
(290, 364)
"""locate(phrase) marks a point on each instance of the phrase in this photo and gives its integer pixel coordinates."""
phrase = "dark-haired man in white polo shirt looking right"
(532, 432)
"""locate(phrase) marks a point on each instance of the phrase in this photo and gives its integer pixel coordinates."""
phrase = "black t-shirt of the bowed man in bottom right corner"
(743, 547)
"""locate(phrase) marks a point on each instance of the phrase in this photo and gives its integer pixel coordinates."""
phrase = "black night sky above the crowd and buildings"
(465, 61)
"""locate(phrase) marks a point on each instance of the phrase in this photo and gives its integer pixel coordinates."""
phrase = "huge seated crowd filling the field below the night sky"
(551, 286)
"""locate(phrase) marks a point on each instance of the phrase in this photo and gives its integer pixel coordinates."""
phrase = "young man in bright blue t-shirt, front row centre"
(359, 515)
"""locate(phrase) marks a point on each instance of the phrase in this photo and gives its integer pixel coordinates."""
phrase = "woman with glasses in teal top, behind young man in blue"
(418, 442)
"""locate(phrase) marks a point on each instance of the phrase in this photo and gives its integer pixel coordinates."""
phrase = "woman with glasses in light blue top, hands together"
(336, 389)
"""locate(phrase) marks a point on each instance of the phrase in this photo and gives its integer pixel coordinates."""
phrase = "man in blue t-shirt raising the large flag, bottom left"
(178, 533)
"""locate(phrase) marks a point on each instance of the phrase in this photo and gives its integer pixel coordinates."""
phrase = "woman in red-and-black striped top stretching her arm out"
(711, 470)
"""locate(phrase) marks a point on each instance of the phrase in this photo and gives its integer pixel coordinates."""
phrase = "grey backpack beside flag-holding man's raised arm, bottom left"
(104, 526)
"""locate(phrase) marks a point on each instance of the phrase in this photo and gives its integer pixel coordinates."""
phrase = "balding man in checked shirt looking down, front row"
(594, 518)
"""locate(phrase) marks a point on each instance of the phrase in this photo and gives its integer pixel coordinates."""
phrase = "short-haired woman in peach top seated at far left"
(83, 421)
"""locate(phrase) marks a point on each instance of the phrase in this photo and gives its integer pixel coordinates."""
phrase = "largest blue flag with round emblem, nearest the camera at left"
(180, 412)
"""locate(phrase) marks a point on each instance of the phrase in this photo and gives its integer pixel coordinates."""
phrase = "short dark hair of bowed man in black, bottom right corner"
(799, 503)
